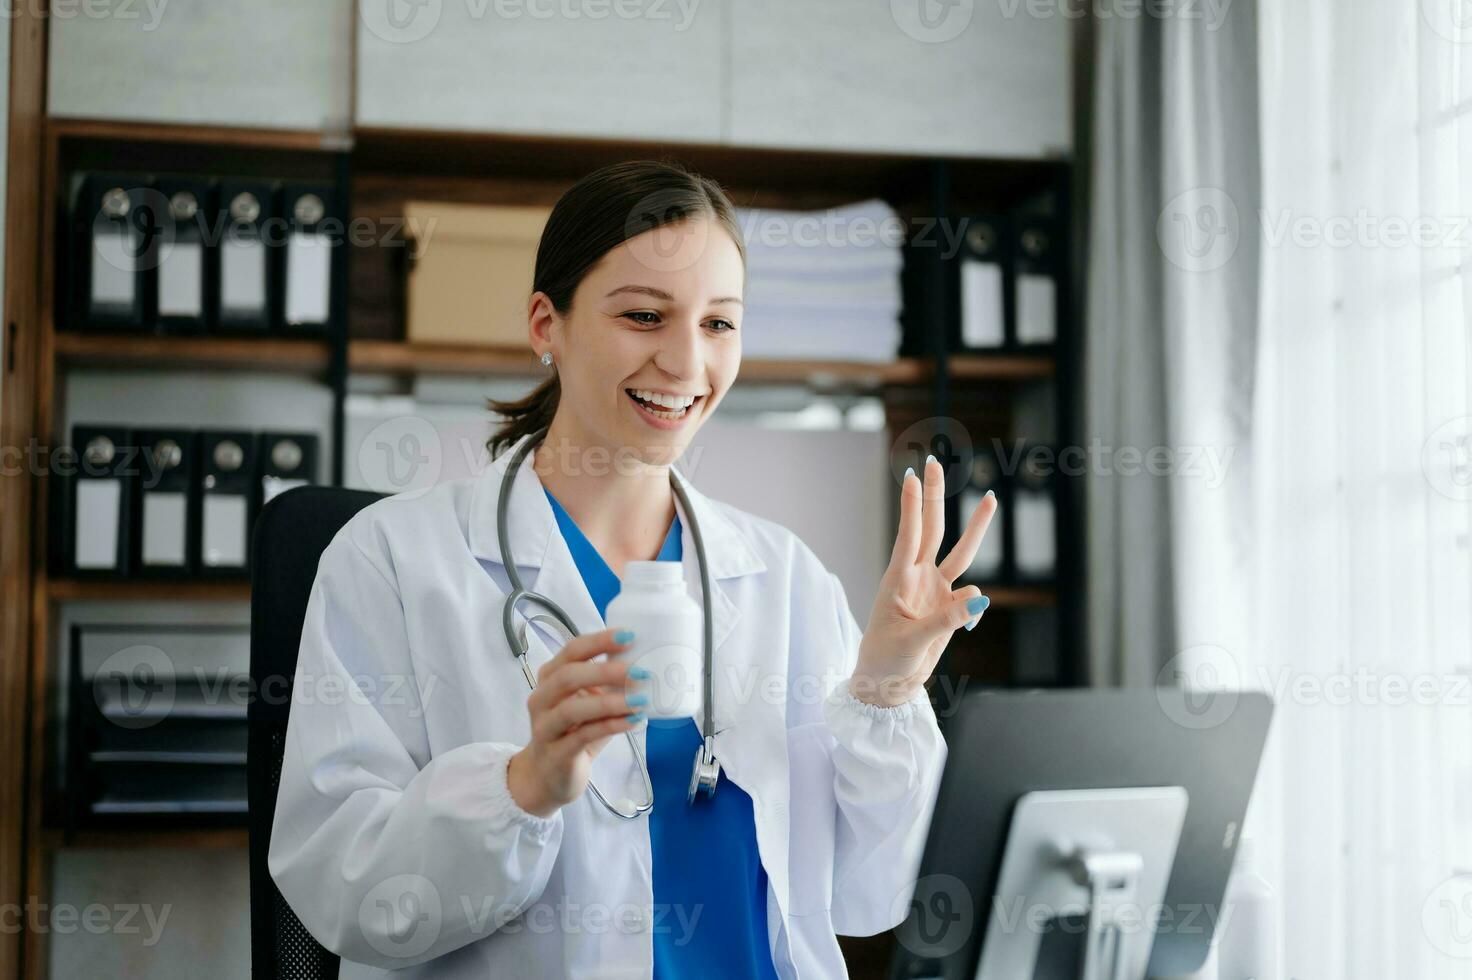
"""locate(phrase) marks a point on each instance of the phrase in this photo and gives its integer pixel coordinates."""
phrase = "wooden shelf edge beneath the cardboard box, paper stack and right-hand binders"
(388, 357)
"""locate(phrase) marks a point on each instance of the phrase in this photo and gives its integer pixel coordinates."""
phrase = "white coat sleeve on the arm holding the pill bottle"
(388, 854)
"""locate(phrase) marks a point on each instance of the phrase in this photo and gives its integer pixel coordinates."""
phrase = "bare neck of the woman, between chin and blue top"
(623, 507)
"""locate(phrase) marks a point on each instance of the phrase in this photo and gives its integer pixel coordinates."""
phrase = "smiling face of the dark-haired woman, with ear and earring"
(654, 324)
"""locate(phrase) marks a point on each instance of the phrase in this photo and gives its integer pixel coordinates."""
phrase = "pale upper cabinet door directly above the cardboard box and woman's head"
(473, 70)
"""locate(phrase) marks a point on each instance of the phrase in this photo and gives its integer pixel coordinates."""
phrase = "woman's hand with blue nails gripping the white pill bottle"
(578, 707)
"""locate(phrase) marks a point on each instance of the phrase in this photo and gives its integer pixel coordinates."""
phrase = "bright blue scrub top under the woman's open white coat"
(710, 891)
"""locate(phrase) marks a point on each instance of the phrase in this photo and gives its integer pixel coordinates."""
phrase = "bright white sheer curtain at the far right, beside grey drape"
(1362, 485)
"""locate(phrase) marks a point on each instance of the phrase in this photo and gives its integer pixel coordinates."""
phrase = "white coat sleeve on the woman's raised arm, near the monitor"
(887, 770)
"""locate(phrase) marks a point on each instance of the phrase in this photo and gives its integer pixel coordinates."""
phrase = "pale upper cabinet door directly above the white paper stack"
(850, 76)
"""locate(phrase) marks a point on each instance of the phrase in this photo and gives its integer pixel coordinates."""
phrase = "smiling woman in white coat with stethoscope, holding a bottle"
(434, 817)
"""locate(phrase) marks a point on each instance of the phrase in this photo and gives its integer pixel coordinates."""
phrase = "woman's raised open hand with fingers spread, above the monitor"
(916, 610)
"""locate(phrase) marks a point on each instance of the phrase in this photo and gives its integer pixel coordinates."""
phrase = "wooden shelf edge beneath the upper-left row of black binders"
(247, 354)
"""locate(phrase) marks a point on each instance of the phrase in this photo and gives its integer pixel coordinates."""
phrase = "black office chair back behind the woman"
(291, 536)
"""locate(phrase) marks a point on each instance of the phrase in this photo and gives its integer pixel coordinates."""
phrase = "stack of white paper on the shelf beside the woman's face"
(824, 285)
